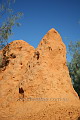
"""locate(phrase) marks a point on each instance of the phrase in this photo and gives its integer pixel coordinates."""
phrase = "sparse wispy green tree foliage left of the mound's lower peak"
(7, 13)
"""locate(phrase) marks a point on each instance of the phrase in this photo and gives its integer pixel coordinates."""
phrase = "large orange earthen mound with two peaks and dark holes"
(36, 84)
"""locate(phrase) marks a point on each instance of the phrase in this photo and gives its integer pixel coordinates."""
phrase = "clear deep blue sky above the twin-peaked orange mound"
(42, 15)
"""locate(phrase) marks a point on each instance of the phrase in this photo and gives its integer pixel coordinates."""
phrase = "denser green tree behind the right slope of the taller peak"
(74, 65)
